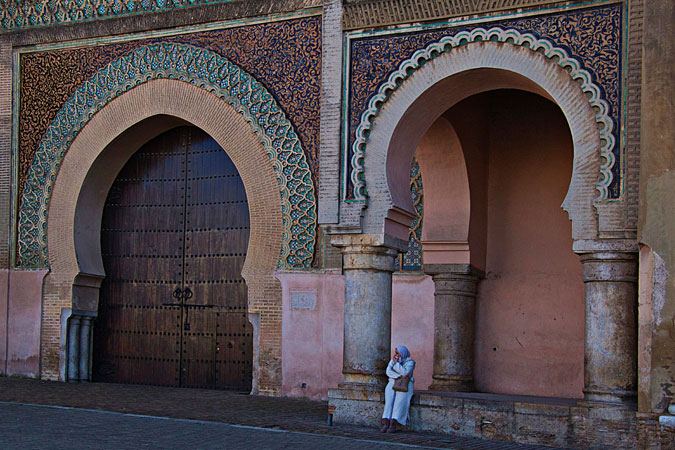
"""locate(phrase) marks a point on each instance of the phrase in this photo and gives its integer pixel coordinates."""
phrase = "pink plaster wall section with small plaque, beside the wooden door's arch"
(312, 338)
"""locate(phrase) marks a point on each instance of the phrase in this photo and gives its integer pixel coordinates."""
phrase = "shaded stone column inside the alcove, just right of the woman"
(454, 325)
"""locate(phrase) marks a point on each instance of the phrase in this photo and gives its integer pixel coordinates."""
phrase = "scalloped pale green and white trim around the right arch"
(496, 34)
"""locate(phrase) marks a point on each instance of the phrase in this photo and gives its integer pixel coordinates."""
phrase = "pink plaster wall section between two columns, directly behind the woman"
(412, 322)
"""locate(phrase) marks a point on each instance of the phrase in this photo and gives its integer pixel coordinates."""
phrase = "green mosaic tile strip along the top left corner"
(31, 13)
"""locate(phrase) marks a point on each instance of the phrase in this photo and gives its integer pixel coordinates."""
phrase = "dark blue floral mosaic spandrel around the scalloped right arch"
(590, 38)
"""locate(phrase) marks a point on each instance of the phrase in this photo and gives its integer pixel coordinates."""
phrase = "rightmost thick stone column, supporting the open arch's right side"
(610, 369)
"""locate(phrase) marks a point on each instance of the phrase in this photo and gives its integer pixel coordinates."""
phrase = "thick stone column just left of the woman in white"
(367, 330)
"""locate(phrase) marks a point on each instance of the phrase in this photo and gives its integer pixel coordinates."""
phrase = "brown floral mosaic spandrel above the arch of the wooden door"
(283, 56)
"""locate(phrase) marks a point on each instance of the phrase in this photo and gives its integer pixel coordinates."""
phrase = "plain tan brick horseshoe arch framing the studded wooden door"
(93, 161)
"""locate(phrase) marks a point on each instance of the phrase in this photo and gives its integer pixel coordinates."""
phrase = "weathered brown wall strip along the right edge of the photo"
(656, 226)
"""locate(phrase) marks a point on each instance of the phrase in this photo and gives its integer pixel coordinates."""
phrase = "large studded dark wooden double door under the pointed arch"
(174, 238)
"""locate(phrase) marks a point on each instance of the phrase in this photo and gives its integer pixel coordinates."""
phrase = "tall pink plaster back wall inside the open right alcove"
(530, 307)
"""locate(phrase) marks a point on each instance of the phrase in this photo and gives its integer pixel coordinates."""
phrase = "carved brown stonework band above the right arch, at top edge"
(363, 14)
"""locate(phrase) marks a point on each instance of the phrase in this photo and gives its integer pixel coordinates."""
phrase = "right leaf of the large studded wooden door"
(216, 241)
